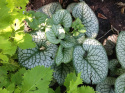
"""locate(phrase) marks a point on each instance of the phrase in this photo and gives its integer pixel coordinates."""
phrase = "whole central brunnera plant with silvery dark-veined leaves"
(59, 47)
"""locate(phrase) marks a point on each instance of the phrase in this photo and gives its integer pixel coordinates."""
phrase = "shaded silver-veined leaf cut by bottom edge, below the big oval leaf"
(106, 86)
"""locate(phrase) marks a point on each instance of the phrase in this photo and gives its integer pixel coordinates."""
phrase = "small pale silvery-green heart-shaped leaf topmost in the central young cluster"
(62, 17)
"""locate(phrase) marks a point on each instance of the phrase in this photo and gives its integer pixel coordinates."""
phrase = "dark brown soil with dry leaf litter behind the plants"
(110, 15)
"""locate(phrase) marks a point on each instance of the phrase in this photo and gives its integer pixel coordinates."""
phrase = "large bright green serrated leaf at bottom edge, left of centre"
(37, 81)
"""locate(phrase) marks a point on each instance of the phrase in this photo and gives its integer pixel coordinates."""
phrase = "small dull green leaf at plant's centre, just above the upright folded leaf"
(68, 41)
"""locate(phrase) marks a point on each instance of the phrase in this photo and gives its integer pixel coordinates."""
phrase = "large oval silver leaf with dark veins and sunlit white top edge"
(91, 60)
